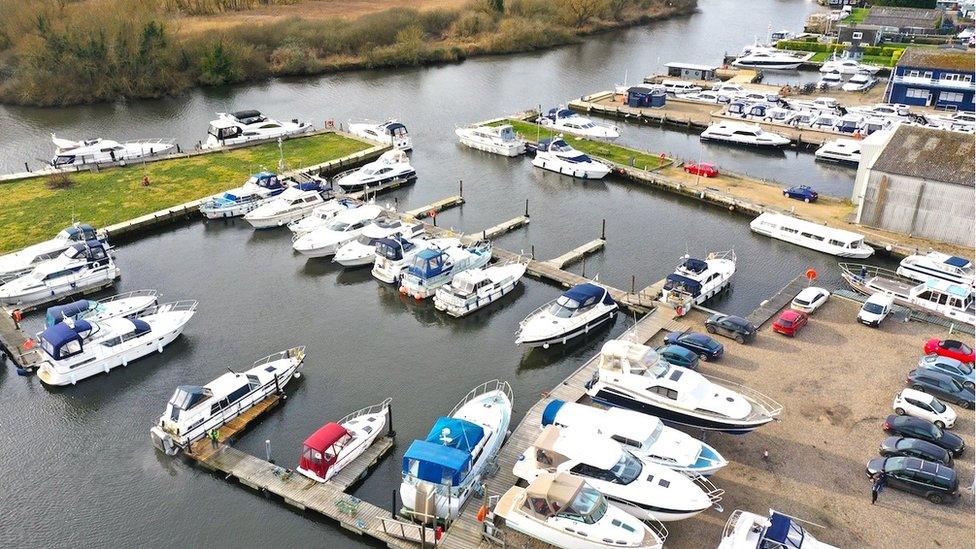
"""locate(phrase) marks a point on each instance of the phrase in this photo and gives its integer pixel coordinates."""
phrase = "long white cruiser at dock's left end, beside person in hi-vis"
(194, 410)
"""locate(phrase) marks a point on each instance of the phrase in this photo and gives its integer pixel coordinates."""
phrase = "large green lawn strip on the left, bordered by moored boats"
(31, 212)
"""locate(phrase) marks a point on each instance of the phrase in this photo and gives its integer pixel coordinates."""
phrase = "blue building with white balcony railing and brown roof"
(931, 77)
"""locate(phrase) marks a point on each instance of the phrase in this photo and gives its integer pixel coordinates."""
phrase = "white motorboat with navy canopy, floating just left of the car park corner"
(578, 311)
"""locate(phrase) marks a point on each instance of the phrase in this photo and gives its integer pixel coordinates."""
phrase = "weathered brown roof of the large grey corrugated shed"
(935, 155)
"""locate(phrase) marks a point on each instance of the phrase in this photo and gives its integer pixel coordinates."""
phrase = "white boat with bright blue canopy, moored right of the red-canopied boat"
(441, 472)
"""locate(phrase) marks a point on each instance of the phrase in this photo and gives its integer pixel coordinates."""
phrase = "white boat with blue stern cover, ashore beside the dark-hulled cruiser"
(644, 436)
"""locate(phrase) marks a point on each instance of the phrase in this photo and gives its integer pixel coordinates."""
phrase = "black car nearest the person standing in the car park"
(936, 483)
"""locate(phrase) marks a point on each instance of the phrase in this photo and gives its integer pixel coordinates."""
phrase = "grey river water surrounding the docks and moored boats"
(78, 465)
